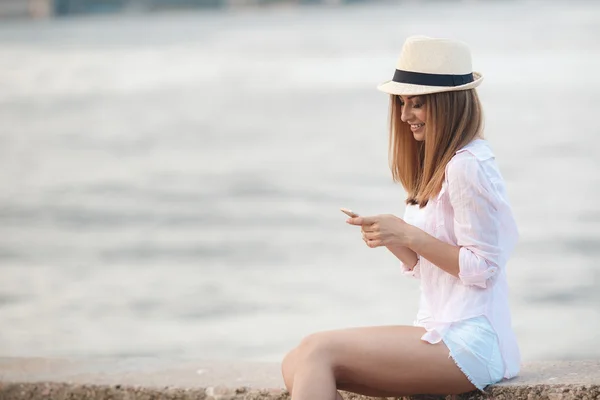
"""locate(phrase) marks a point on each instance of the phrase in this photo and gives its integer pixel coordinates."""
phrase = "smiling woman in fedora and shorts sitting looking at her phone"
(456, 236)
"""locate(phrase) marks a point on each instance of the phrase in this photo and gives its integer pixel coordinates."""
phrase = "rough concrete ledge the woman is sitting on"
(149, 378)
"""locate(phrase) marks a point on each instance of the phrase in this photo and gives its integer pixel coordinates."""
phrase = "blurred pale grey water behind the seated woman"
(171, 182)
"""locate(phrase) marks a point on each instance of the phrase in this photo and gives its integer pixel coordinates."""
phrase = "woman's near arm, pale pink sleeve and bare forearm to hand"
(478, 253)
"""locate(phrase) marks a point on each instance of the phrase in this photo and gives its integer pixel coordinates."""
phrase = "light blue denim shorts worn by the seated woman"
(473, 345)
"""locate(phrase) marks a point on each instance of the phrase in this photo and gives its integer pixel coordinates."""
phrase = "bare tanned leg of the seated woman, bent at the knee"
(381, 361)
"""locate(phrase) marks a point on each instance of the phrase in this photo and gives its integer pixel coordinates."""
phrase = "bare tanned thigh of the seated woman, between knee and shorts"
(390, 360)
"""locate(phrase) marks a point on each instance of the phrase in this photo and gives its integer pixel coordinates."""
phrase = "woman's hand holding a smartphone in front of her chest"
(383, 230)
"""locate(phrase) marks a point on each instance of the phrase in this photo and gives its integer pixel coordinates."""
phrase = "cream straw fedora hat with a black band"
(429, 65)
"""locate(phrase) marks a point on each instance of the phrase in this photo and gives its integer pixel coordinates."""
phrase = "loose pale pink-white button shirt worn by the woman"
(471, 211)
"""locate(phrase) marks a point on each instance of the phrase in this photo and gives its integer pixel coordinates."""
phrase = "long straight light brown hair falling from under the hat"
(453, 120)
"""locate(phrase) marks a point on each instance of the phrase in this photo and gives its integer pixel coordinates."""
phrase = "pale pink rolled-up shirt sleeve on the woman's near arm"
(477, 222)
